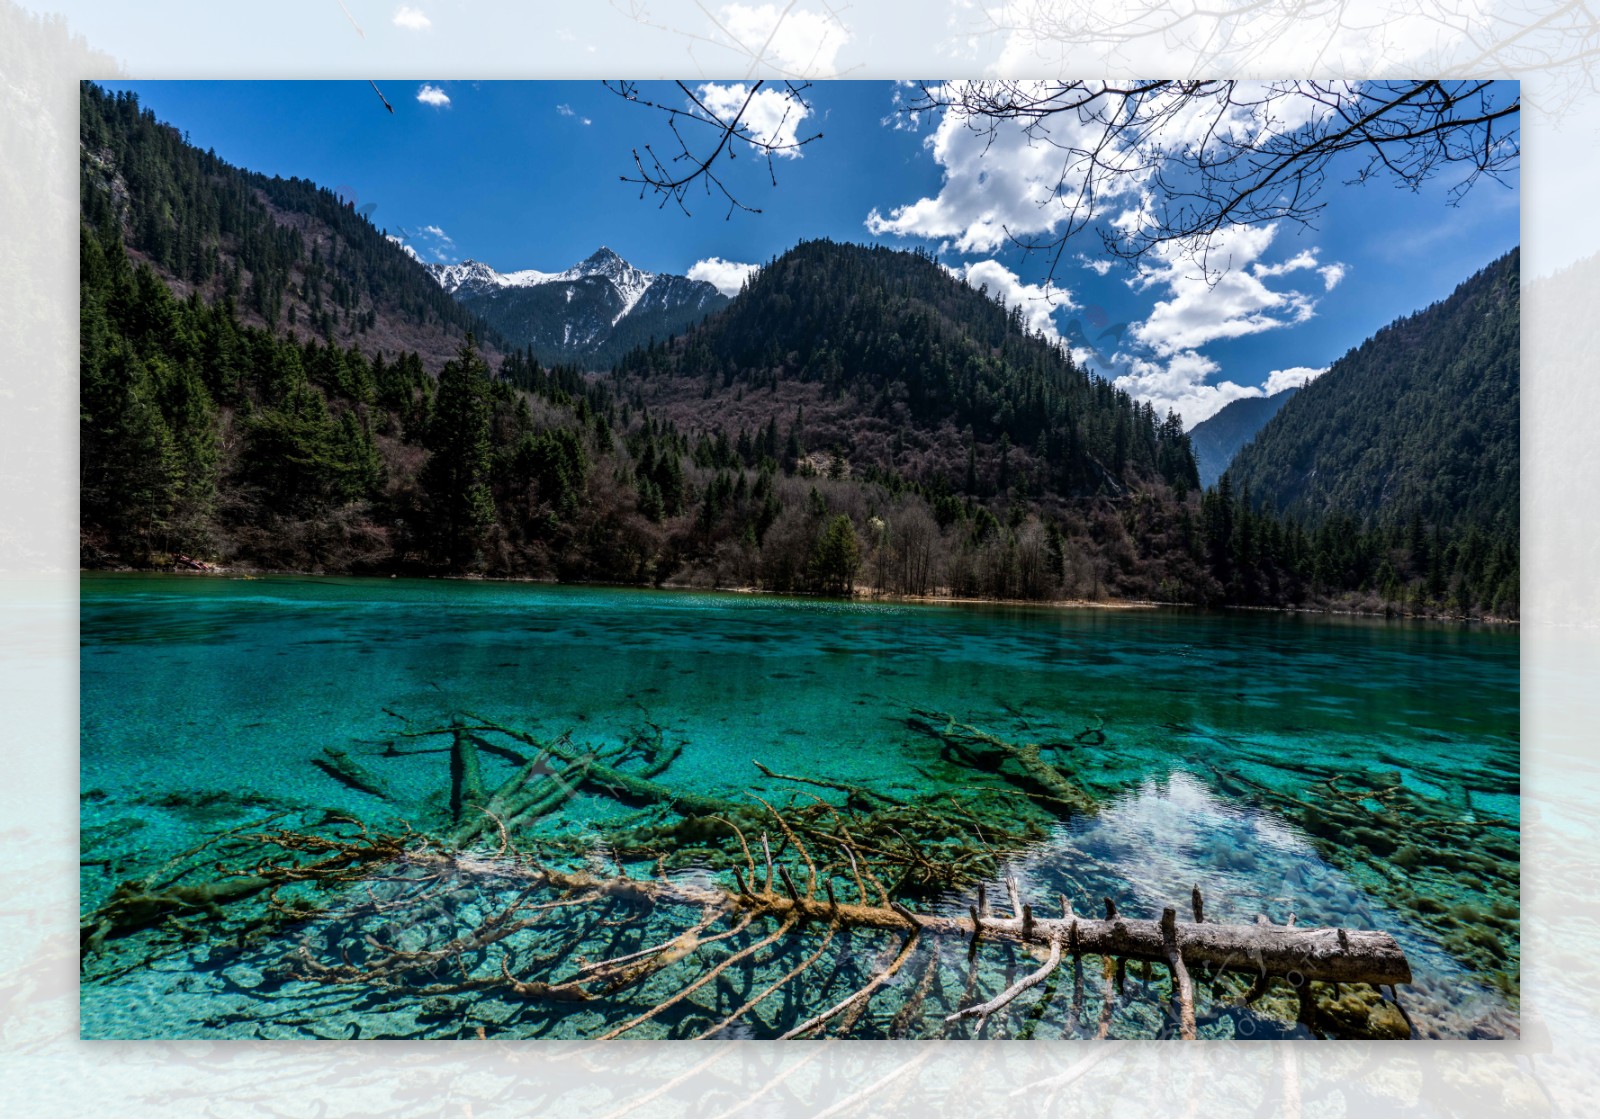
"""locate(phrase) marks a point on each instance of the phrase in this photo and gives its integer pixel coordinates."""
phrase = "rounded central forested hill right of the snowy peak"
(881, 359)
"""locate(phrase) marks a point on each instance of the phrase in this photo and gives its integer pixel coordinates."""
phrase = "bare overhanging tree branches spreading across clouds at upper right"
(1164, 167)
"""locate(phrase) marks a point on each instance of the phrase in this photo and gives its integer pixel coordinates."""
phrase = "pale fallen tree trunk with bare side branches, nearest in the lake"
(1295, 954)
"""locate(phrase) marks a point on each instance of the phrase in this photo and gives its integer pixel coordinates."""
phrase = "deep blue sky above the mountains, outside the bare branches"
(527, 175)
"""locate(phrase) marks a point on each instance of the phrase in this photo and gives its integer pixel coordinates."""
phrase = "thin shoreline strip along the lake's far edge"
(854, 598)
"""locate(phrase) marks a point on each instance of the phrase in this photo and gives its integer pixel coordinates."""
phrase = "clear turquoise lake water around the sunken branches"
(1346, 772)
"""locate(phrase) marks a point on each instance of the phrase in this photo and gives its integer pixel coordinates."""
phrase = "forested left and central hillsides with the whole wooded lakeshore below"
(857, 418)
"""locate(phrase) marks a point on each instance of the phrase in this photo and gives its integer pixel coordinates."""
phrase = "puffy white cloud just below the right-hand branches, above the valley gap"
(1204, 308)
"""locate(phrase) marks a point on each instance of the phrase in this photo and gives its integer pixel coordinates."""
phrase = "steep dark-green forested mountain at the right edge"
(1417, 423)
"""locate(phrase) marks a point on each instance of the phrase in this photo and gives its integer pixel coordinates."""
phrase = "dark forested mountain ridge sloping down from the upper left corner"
(290, 255)
